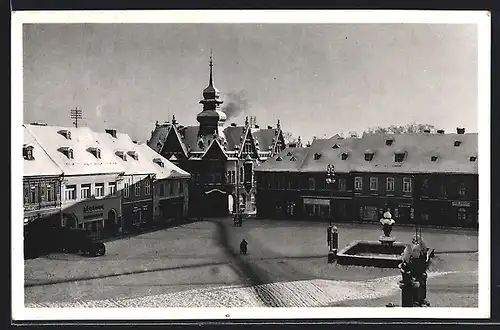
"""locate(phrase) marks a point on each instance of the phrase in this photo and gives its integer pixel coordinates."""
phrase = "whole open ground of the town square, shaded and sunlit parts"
(286, 266)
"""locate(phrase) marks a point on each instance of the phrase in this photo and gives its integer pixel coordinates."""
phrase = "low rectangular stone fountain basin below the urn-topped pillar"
(372, 253)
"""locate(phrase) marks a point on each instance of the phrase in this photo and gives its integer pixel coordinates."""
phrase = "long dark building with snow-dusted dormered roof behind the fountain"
(420, 178)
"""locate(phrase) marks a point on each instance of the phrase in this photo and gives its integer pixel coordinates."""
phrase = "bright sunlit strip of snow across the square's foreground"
(311, 293)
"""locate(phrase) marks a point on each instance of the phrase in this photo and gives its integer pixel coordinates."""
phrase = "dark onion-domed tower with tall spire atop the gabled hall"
(211, 117)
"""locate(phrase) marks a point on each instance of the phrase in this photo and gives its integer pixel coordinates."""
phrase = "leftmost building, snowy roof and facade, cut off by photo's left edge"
(41, 184)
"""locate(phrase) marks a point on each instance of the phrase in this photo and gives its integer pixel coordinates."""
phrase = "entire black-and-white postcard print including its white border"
(311, 166)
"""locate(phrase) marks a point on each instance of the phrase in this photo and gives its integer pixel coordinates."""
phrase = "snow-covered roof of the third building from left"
(123, 145)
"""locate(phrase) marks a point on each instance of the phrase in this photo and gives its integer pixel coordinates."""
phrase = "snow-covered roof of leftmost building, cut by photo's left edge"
(41, 164)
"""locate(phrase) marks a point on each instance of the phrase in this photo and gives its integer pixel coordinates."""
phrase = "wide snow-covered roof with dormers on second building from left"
(82, 143)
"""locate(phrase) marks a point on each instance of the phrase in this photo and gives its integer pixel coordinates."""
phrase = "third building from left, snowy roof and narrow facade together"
(137, 180)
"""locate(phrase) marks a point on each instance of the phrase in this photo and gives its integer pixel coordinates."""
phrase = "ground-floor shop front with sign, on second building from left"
(99, 217)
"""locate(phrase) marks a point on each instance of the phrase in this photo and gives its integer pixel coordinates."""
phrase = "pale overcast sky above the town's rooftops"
(317, 79)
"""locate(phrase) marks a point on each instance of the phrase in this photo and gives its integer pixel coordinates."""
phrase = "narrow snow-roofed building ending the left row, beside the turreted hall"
(170, 188)
